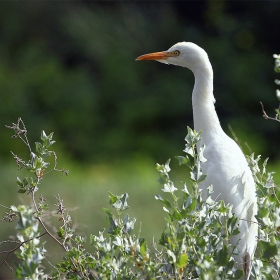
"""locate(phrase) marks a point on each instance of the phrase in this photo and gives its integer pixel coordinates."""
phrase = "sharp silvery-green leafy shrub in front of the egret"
(194, 244)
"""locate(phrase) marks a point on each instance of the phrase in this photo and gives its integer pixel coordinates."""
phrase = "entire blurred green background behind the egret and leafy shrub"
(69, 68)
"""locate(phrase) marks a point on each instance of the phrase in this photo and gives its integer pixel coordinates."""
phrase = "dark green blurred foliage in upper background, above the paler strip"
(70, 68)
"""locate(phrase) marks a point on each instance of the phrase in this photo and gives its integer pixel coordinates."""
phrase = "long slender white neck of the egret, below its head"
(204, 113)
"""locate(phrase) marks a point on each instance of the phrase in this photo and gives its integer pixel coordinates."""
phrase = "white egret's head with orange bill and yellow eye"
(183, 54)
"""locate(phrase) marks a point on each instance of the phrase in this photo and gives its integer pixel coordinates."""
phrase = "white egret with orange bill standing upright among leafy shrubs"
(226, 167)
